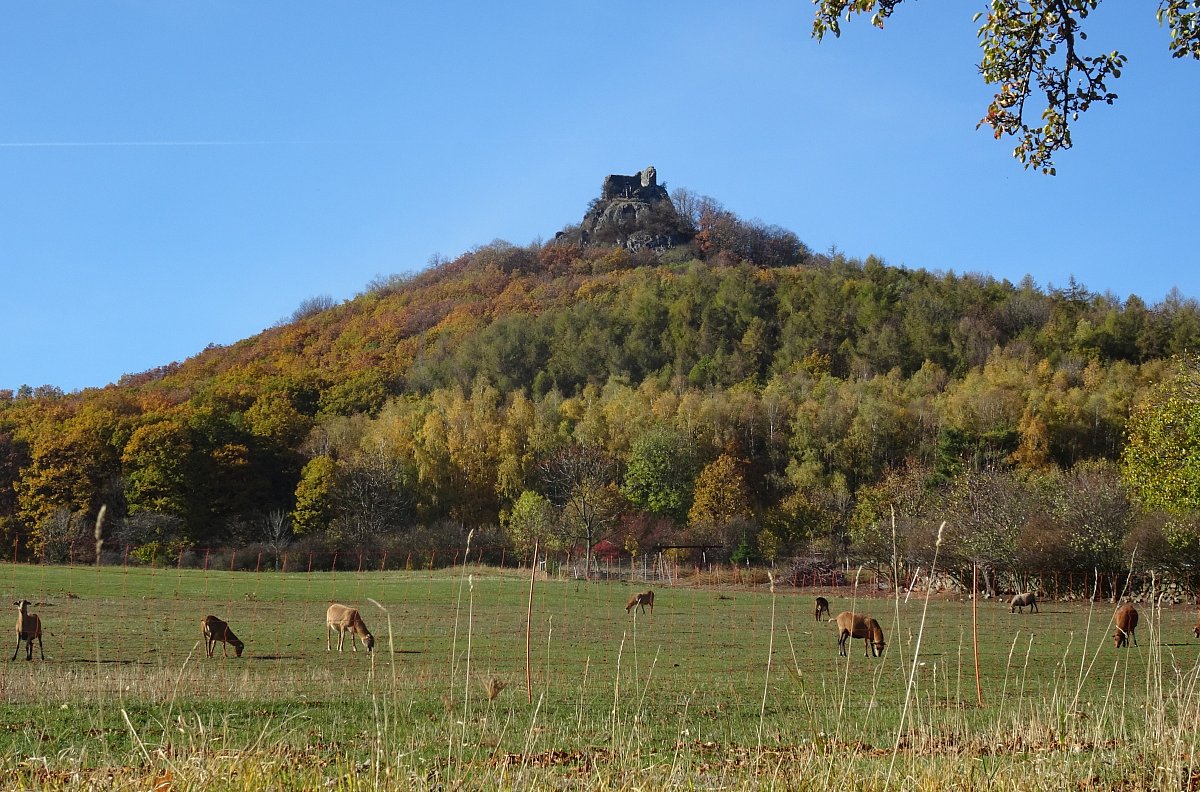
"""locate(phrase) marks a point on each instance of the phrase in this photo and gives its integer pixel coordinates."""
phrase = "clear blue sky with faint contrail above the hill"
(177, 175)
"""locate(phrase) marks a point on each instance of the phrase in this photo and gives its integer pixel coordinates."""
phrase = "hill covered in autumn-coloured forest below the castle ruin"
(737, 389)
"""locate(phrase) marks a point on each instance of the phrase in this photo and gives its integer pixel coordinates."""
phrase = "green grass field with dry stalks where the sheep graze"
(722, 688)
